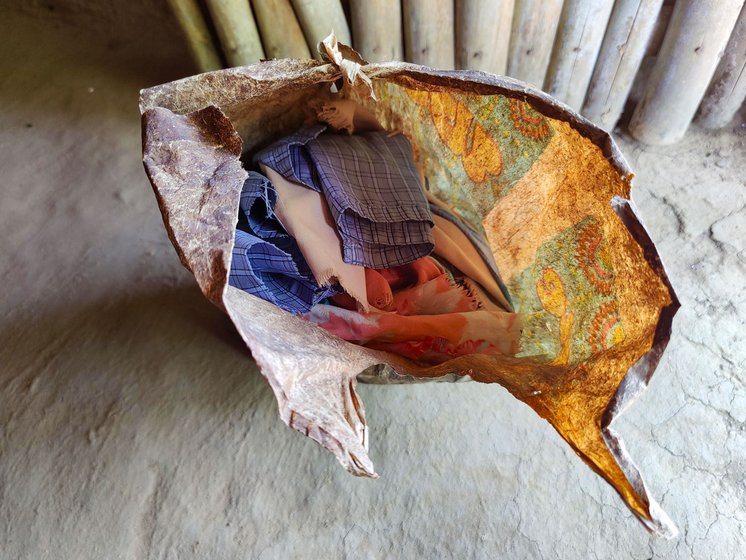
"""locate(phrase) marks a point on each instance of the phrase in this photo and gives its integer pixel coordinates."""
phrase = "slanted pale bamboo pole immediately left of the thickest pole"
(630, 27)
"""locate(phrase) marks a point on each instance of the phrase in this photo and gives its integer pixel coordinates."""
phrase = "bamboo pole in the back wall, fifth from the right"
(532, 36)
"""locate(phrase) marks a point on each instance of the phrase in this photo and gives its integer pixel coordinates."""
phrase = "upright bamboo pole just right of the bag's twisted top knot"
(376, 29)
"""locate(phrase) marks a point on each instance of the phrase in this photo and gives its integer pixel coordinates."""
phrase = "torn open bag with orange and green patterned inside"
(550, 190)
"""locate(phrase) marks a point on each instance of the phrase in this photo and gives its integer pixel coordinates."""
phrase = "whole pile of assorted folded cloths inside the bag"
(338, 229)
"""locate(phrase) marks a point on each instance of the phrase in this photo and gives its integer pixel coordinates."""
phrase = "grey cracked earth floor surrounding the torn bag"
(134, 425)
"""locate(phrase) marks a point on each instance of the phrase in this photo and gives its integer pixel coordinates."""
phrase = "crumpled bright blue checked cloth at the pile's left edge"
(266, 260)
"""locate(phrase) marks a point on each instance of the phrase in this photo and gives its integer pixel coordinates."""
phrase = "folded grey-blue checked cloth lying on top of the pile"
(372, 188)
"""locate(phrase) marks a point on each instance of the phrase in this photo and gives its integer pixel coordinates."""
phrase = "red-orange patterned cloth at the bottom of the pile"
(432, 318)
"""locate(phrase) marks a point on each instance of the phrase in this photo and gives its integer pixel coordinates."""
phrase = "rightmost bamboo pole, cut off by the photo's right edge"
(727, 90)
